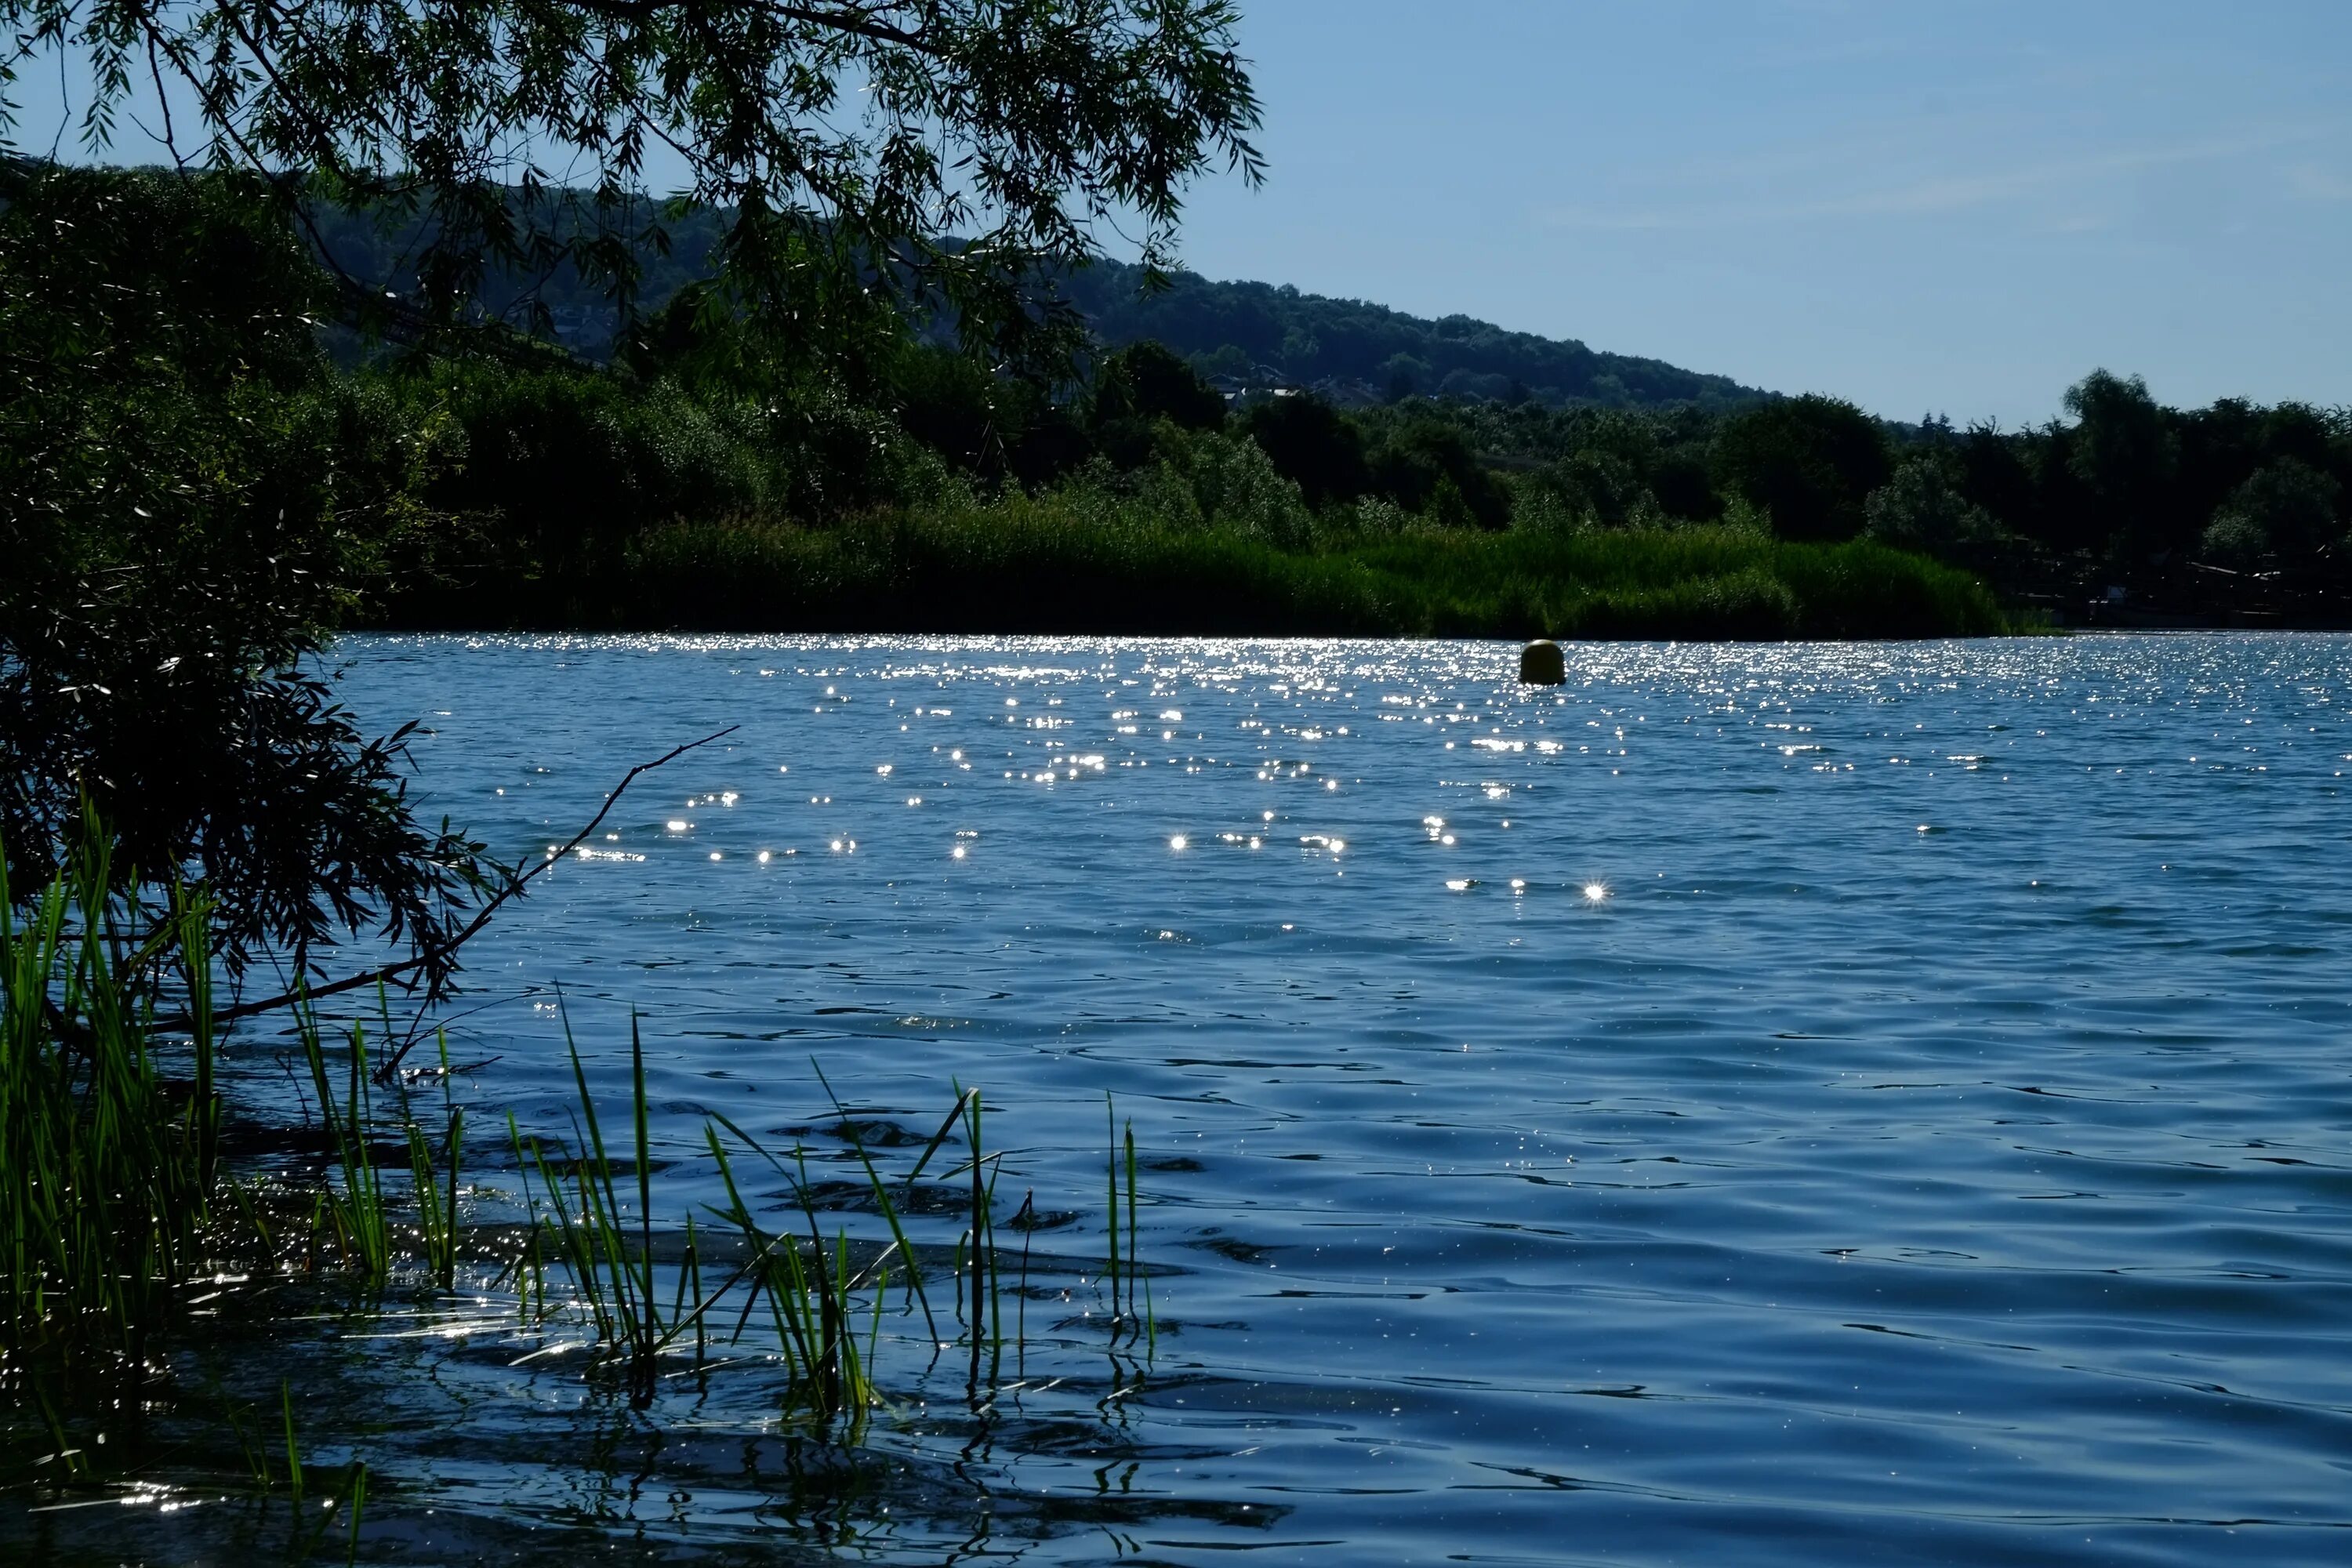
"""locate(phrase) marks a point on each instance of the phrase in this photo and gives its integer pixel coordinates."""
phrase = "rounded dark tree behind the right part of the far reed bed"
(1810, 462)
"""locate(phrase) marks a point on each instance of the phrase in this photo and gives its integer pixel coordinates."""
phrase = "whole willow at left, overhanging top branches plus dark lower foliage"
(864, 156)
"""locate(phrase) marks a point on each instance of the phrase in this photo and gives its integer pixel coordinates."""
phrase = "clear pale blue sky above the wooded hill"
(1918, 206)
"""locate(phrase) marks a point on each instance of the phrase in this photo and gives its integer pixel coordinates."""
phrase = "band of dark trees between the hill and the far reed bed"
(2219, 514)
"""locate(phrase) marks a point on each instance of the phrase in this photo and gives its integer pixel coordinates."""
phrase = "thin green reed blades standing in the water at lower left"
(114, 1198)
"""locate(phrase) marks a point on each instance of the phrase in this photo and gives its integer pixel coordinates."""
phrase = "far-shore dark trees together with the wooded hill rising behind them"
(554, 457)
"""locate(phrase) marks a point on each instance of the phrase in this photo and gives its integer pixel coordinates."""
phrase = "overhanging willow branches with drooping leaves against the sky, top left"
(940, 152)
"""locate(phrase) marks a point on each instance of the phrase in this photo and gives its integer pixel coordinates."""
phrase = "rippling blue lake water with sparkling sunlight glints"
(1749, 1106)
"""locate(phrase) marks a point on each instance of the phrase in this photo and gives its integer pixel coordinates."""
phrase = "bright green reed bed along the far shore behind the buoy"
(1057, 565)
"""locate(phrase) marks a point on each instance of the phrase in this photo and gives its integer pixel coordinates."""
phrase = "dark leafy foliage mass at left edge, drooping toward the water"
(189, 504)
